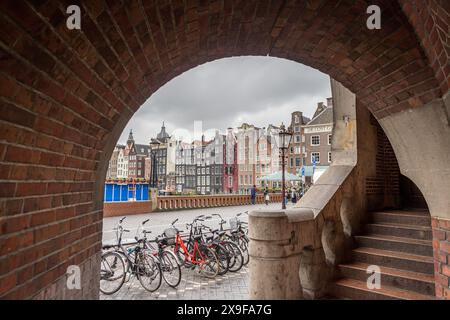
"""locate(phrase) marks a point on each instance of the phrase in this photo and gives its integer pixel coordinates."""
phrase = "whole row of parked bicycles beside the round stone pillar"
(210, 251)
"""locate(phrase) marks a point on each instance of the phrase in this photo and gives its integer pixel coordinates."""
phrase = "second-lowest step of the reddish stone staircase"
(400, 279)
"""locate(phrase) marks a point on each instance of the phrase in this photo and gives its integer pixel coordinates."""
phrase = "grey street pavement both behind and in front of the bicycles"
(232, 286)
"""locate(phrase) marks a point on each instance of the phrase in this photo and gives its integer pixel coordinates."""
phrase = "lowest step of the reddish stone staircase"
(354, 289)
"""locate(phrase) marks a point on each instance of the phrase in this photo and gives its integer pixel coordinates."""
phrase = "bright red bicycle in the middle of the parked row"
(194, 254)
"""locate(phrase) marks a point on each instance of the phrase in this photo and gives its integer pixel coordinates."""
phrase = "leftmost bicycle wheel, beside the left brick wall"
(112, 272)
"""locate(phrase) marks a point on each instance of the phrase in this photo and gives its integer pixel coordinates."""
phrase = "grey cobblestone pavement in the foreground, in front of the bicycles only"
(231, 286)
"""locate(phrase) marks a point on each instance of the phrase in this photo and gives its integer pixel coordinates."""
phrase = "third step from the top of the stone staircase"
(392, 243)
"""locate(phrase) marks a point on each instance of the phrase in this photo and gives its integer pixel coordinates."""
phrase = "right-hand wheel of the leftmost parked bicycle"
(148, 272)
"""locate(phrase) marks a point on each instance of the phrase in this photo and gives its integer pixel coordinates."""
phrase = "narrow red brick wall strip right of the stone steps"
(441, 249)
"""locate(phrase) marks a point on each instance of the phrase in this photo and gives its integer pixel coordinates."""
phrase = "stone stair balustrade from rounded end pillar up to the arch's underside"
(294, 253)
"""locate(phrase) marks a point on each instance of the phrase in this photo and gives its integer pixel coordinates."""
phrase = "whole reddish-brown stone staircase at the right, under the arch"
(399, 242)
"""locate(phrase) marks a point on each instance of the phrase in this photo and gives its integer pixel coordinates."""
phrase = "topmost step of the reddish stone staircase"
(402, 217)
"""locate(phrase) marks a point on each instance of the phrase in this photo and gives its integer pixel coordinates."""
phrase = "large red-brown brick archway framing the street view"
(67, 95)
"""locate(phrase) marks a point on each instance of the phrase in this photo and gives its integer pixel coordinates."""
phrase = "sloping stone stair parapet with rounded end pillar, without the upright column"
(294, 252)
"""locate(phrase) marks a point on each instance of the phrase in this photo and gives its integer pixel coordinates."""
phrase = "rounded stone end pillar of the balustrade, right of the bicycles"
(275, 247)
